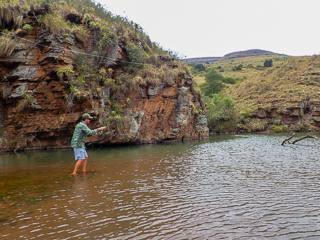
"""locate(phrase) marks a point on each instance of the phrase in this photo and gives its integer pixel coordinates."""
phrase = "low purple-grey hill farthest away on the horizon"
(240, 54)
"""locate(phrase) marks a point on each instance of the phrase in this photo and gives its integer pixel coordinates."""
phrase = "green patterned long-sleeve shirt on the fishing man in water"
(81, 132)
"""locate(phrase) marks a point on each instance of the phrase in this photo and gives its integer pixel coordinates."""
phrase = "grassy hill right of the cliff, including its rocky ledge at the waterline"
(284, 97)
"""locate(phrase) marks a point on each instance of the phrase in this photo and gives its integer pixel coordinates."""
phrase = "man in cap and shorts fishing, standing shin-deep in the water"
(81, 132)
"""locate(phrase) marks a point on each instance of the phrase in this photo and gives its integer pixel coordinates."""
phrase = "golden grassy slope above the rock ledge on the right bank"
(289, 79)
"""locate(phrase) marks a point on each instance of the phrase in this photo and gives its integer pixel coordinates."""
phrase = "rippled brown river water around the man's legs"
(227, 187)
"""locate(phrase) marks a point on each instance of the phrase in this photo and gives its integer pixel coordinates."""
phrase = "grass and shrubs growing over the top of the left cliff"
(98, 31)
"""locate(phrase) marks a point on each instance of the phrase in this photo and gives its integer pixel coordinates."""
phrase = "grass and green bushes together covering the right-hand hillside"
(257, 81)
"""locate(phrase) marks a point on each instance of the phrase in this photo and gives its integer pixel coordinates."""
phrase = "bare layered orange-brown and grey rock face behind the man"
(39, 106)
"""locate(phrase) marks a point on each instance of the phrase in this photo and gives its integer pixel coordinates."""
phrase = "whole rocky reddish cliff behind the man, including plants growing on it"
(52, 76)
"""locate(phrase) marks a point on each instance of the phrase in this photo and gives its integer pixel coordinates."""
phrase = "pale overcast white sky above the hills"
(213, 28)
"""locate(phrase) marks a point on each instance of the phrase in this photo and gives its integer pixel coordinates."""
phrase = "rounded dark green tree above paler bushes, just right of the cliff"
(213, 83)
